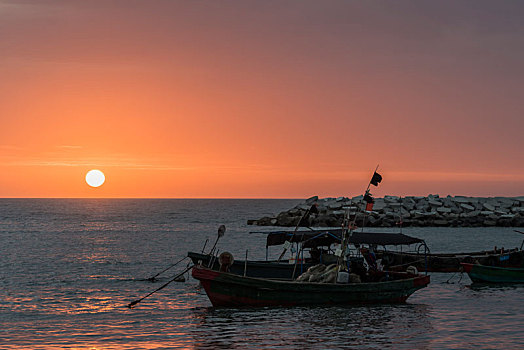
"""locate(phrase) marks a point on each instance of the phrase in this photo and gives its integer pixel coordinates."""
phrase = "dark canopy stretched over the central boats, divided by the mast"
(321, 238)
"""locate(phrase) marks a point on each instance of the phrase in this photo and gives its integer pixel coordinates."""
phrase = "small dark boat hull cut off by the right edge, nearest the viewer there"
(493, 274)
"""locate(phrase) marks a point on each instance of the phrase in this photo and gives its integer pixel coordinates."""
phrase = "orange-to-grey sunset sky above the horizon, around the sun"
(261, 99)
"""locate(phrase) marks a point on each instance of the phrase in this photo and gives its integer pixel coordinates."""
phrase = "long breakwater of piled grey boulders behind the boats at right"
(390, 211)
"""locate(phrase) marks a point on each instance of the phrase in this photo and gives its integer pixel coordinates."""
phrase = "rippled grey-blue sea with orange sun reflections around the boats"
(68, 268)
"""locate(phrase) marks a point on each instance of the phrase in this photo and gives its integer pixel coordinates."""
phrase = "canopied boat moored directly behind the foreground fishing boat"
(314, 247)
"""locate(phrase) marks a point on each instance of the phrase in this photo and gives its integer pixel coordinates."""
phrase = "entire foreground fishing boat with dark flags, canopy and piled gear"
(343, 282)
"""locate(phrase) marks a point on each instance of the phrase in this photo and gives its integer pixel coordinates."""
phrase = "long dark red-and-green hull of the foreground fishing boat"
(229, 290)
